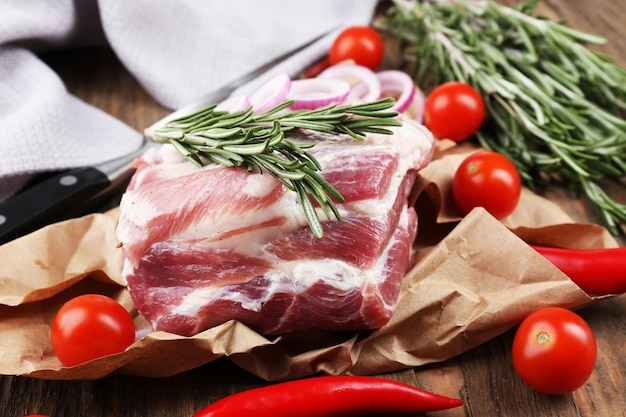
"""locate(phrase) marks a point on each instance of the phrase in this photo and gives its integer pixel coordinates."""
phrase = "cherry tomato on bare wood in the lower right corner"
(554, 351)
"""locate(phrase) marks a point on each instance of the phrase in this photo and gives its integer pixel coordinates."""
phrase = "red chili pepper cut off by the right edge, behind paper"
(595, 271)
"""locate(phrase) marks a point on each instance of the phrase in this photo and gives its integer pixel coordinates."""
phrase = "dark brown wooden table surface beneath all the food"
(483, 376)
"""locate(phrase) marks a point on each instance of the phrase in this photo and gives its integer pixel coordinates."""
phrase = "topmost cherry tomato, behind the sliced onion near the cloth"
(362, 44)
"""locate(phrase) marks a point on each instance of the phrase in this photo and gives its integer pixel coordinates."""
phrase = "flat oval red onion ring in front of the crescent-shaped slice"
(313, 93)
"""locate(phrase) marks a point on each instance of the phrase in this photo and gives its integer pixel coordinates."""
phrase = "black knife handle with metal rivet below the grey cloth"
(47, 201)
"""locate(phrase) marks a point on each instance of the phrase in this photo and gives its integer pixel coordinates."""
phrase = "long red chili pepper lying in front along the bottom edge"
(329, 396)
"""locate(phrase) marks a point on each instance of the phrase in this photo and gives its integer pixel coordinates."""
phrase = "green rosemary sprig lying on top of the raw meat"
(259, 142)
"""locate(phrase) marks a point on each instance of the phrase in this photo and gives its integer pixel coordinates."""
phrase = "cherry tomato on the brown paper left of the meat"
(88, 327)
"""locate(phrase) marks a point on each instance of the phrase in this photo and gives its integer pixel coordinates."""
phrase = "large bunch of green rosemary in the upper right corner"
(554, 106)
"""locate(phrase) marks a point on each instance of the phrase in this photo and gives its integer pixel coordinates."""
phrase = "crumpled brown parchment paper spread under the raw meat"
(475, 277)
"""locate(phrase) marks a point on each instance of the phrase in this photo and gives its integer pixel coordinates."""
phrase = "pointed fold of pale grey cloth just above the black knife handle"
(44, 128)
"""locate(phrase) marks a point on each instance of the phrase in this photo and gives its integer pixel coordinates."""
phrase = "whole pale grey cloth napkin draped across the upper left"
(178, 50)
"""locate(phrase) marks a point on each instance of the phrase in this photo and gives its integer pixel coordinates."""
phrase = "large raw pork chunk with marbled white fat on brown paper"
(204, 246)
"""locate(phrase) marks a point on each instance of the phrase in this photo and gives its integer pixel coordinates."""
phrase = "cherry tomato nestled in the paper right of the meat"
(487, 179)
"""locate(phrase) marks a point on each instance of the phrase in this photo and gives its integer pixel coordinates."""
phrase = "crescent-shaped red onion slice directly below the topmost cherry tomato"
(364, 82)
